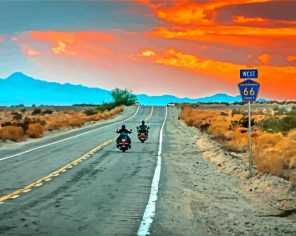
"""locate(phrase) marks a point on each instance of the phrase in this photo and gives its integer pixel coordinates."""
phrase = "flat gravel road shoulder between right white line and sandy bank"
(197, 199)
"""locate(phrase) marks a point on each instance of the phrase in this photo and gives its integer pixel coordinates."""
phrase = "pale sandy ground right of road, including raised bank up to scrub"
(205, 190)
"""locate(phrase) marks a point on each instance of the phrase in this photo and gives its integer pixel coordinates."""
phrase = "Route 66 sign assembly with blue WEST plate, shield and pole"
(249, 90)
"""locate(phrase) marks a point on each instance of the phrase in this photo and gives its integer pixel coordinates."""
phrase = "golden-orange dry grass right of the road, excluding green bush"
(273, 153)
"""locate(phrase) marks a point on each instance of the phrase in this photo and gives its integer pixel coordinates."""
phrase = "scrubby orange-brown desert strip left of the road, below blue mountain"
(20, 123)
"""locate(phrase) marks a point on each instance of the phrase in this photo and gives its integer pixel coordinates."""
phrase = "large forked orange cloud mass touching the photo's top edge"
(197, 21)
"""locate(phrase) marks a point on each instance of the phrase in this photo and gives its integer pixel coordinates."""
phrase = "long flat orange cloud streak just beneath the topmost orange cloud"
(233, 36)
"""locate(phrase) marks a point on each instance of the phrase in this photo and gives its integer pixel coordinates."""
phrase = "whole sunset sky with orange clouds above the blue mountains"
(184, 48)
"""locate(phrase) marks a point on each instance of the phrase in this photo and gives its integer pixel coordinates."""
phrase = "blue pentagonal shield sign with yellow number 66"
(249, 90)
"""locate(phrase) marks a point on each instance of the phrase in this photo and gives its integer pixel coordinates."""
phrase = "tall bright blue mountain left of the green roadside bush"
(21, 89)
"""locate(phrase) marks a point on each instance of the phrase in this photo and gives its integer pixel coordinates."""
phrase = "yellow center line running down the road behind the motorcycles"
(39, 182)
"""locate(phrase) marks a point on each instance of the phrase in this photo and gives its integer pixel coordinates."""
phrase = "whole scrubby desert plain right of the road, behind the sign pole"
(273, 134)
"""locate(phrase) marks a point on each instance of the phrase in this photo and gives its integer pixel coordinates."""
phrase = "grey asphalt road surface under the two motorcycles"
(103, 193)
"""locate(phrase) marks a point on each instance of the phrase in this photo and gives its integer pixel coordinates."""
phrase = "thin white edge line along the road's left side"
(72, 137)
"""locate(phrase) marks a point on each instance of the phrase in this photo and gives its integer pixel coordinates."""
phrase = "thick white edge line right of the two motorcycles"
(151, 205)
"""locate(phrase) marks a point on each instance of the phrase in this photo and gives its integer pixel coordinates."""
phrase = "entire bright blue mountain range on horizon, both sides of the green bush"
(21, 89)
